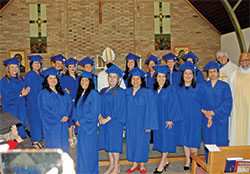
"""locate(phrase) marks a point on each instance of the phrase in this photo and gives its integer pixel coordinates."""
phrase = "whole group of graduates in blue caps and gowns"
(173, 103)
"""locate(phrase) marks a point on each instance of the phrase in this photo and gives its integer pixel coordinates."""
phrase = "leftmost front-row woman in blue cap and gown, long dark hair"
(55, 107)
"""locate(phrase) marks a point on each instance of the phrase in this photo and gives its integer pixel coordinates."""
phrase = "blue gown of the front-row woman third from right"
(167, 104)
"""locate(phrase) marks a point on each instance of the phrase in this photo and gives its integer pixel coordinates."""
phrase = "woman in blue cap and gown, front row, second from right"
(191, 105)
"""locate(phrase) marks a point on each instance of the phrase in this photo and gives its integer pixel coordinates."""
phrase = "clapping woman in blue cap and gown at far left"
(13, 92)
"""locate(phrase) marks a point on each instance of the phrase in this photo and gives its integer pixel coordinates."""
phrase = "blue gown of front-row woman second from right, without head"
(190, 105)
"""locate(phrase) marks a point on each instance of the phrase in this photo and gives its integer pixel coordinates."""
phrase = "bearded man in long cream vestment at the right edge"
(240, 84)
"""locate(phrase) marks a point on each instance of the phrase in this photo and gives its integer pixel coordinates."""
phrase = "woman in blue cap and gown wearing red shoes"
(141, 119)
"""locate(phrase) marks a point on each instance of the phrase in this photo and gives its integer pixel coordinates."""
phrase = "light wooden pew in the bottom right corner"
(217, 160)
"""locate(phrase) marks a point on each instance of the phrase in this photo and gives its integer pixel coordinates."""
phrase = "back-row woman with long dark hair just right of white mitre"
(131, 63)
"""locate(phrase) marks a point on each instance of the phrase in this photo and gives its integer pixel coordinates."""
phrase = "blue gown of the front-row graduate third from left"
(111, 134)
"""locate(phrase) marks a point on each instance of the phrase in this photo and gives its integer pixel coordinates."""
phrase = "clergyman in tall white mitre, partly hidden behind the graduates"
(108, 57)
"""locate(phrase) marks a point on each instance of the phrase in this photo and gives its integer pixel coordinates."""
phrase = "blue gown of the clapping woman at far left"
(12, 102)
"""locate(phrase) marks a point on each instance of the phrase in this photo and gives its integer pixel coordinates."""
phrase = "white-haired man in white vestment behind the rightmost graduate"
(227, 68)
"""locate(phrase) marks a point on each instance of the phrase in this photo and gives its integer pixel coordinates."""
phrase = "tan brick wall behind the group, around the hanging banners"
(127, 26)
